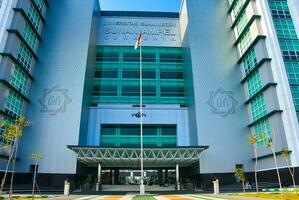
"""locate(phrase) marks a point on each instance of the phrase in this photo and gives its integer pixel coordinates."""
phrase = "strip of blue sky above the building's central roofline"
(141, 5)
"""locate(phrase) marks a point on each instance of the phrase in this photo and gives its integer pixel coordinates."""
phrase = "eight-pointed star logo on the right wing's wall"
(222, 102)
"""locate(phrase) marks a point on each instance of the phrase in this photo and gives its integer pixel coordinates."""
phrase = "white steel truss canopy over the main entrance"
(130, 157)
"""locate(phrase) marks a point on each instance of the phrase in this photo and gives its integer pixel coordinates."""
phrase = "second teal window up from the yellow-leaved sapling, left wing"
(19, 79)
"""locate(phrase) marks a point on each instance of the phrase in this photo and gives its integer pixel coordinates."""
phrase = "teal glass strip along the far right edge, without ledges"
(289, 44)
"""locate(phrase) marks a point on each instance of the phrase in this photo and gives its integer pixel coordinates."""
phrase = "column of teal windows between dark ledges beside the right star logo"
(249, 62)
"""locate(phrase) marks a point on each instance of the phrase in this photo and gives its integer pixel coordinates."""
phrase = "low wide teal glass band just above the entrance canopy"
(129, 136)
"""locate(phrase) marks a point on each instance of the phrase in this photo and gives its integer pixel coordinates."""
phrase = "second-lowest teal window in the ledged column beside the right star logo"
(258, 107)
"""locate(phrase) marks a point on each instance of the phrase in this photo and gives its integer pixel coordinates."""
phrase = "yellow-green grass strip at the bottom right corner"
(288, 195)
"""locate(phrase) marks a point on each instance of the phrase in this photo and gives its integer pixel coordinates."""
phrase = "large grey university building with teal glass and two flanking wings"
(212, 73)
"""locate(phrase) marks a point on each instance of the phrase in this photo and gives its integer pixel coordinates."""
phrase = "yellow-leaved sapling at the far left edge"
(12, 132)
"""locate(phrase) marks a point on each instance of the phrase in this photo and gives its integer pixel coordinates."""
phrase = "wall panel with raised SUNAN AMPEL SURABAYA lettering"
(123, 31)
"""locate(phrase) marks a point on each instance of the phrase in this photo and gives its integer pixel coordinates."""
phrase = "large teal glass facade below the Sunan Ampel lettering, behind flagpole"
(117, 72)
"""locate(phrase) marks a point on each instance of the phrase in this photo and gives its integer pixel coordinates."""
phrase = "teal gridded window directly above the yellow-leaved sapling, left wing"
(14, 104)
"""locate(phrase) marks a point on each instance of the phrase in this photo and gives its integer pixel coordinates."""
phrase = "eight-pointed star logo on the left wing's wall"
(54, 100)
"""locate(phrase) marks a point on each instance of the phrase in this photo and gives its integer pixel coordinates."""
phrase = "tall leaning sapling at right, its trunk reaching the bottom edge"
(270, 143)
